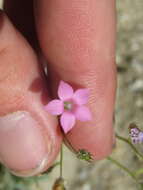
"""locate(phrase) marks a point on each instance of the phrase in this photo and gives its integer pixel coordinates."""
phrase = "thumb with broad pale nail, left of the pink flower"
(29, 137)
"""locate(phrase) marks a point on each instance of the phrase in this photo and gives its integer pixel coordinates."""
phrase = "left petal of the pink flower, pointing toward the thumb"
(55, 107)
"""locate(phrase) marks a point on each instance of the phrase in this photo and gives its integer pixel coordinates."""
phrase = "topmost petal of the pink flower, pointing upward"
(65, 91)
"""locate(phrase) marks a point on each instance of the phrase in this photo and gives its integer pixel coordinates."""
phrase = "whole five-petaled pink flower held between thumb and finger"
(70, 106)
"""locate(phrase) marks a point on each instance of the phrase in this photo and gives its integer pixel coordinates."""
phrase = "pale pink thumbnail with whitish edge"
(22, 145)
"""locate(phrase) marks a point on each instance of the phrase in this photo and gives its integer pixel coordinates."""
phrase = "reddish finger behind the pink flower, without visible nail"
(78, 40)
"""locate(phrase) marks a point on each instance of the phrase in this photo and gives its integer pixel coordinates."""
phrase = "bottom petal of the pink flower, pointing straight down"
(67, 121)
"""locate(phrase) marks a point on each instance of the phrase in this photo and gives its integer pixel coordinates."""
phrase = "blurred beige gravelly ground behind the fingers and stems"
(104, 175)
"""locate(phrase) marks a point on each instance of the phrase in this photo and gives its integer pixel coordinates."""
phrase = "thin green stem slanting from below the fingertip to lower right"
(122, 167)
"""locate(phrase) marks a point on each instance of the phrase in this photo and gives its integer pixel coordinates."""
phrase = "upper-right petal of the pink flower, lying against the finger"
(81, 96)
